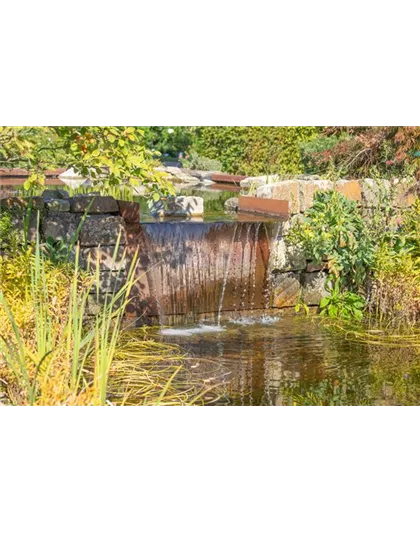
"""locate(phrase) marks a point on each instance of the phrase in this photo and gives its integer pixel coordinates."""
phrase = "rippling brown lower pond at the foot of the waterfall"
(296, 361)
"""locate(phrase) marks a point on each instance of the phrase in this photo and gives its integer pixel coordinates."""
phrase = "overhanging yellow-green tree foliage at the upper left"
(109, 155)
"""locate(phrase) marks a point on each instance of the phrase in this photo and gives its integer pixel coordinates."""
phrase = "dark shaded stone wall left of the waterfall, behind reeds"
(108, 224)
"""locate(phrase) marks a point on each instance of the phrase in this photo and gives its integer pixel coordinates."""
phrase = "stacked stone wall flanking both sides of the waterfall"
(293, 278)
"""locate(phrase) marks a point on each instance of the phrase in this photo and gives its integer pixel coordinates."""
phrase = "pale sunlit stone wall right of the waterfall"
(293, 278)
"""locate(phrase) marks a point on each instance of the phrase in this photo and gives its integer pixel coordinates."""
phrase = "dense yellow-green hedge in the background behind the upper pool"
(253, 150)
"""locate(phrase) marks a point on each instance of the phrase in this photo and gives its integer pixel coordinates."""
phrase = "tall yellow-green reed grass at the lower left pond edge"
(56, 354)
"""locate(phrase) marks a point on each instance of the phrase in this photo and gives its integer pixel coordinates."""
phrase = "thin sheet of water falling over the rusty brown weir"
(196, 269)
